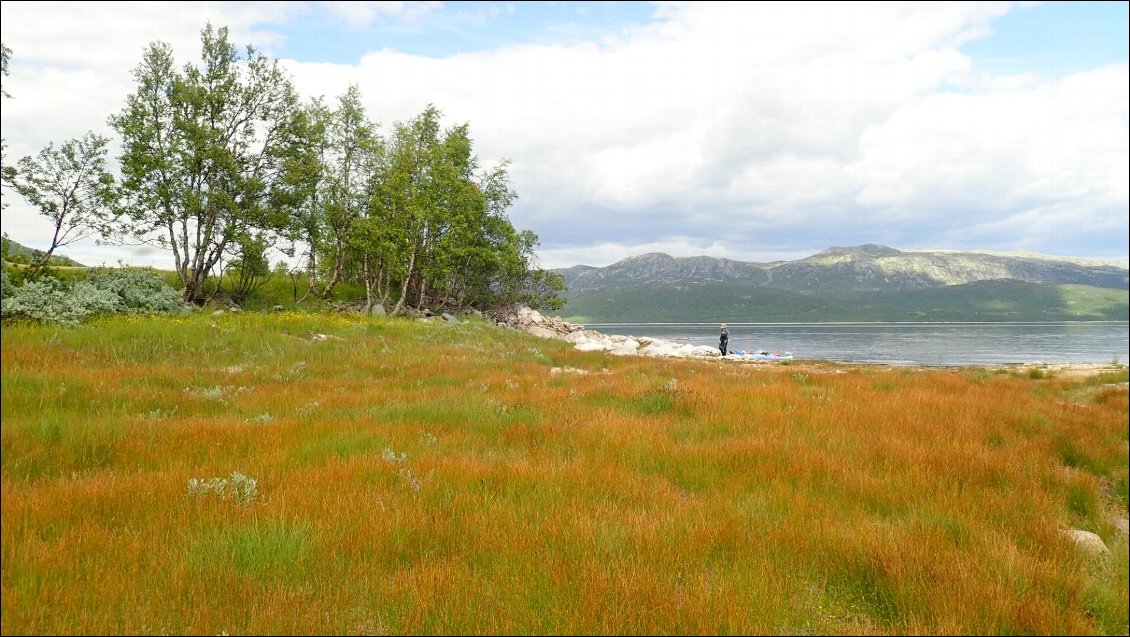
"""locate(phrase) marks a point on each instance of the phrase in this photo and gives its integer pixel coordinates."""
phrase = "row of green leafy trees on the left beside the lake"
(223, 162)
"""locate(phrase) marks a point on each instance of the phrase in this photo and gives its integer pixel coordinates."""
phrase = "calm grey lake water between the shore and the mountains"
(907, 344)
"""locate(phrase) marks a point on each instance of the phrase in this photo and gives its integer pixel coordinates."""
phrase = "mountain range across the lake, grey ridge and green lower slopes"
(865, 283)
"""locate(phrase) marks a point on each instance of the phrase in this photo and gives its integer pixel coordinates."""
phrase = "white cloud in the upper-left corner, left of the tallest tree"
(72, 68)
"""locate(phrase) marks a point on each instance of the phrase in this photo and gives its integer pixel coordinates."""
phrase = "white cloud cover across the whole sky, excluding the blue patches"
(750, 129)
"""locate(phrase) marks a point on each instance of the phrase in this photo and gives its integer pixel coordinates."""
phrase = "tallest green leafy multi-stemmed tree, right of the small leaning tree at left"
(202, 151)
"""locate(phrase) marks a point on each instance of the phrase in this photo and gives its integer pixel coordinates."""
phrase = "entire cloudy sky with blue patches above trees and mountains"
(750, 132)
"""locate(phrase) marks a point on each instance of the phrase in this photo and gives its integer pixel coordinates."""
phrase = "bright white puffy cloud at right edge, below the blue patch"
(1028, 150)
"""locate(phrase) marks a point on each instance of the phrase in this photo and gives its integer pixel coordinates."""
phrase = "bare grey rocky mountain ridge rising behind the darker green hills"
(838, 270)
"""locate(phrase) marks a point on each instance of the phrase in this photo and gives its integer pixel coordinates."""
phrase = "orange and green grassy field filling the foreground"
(291, 474)
